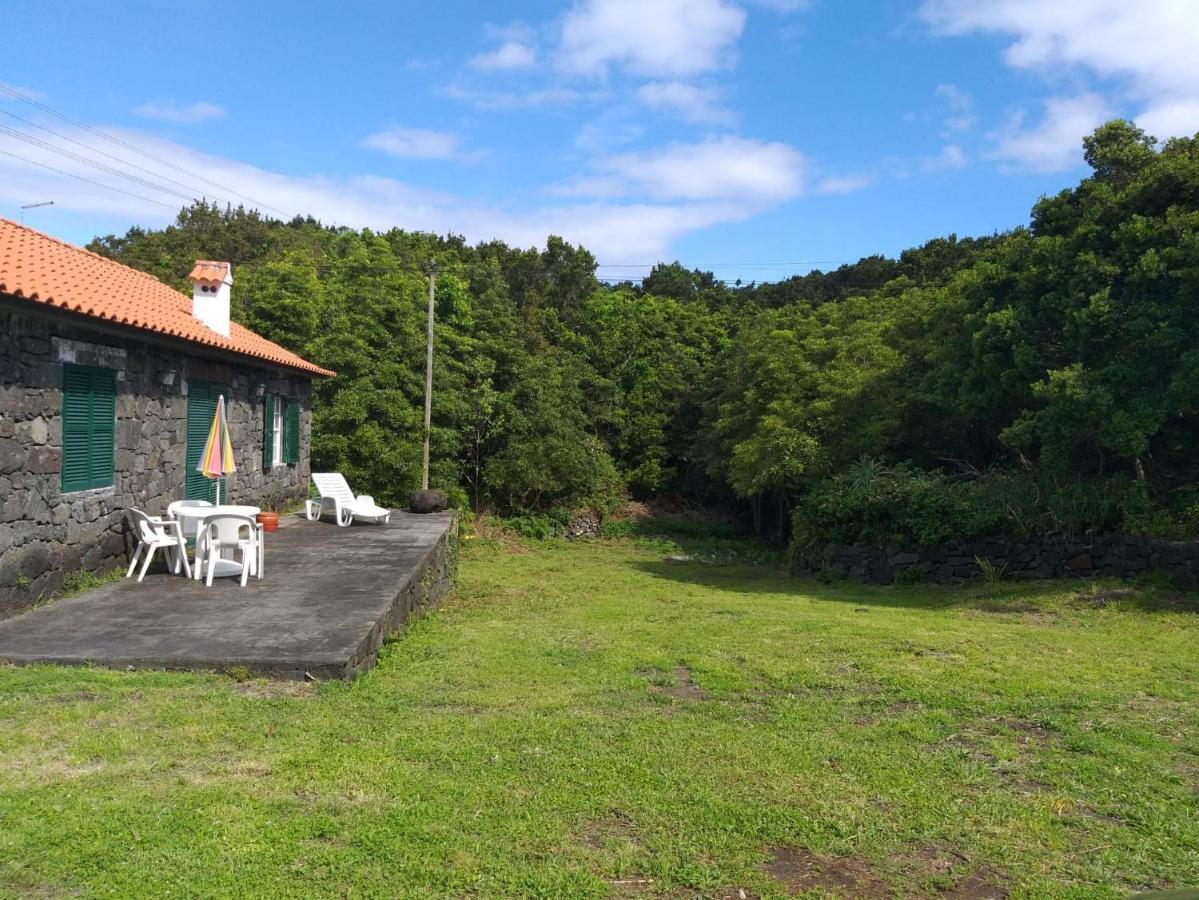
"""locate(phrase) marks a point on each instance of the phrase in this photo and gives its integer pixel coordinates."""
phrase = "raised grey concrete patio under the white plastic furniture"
(329, 599)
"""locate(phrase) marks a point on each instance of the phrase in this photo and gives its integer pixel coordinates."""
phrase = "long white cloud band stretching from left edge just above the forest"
(614, 231)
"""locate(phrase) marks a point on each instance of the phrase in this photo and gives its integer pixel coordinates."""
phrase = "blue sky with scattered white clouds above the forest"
(752, 138)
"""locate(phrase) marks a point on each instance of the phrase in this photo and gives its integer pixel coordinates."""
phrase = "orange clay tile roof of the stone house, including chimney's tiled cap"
(45, 270)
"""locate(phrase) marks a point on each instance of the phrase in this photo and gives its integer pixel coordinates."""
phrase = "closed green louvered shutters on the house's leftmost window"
(89, 427)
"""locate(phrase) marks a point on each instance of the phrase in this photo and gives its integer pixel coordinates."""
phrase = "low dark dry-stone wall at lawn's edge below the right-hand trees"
(1117, 555)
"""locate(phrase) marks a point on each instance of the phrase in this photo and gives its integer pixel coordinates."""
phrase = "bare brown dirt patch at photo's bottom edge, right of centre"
(930, 871)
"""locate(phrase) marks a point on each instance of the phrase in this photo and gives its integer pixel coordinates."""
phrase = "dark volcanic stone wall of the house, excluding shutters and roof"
(47, 535)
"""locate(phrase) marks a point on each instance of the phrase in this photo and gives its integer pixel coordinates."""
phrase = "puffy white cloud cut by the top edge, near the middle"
(658, 39)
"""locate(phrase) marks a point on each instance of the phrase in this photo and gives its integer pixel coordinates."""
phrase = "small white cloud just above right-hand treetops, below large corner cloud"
(1056, 143)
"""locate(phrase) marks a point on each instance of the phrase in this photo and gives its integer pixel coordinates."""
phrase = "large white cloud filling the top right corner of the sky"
(1149, 46)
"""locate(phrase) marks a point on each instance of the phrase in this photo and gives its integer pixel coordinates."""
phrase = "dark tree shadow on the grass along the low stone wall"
(1014, 597)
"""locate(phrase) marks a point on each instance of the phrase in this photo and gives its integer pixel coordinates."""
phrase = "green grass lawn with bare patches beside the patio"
(589, 721)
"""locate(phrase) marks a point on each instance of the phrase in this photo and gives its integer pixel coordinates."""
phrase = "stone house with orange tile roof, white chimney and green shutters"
(109, 385)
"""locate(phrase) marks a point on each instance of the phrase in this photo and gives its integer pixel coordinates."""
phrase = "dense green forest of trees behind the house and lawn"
(1040, 380)
